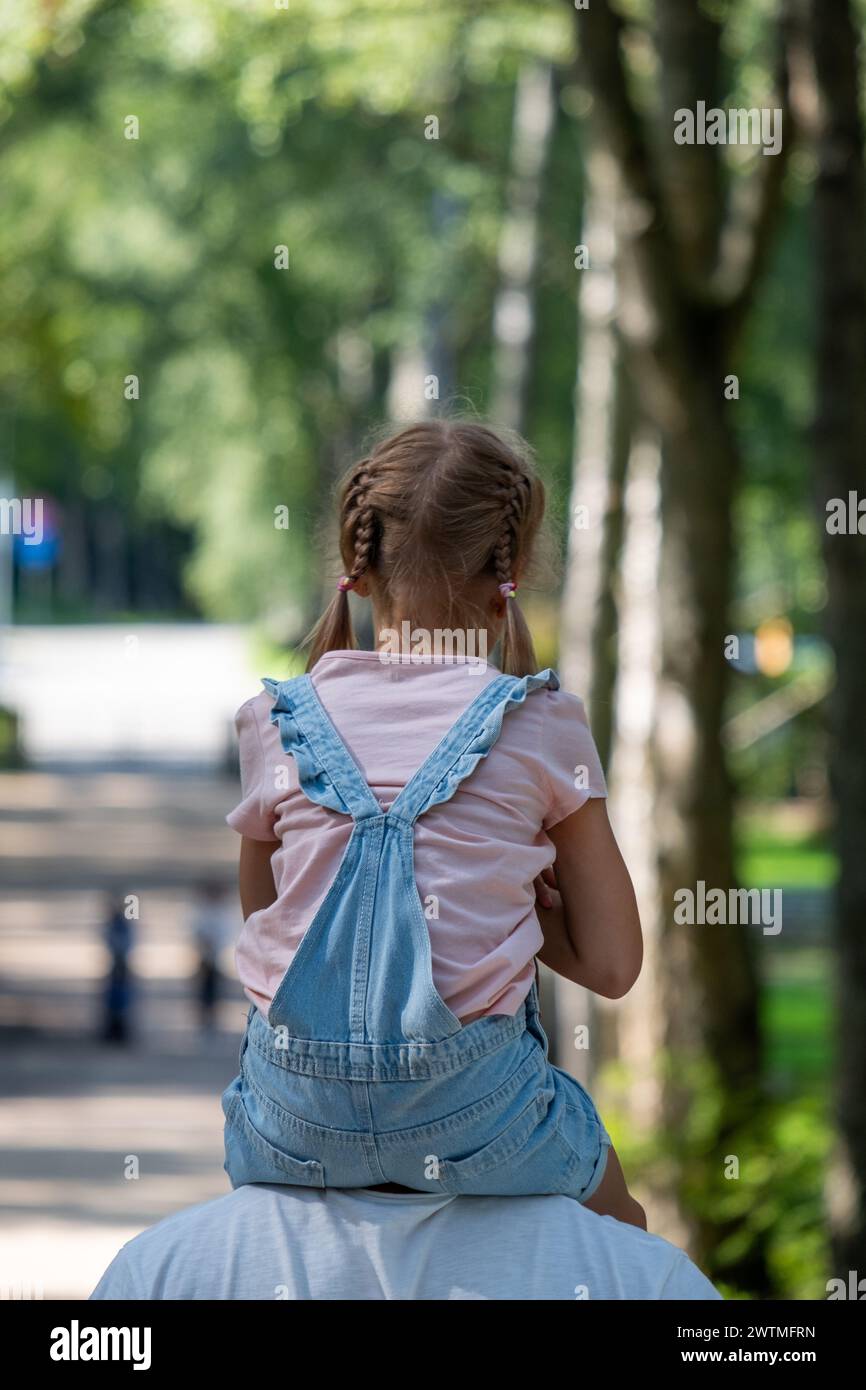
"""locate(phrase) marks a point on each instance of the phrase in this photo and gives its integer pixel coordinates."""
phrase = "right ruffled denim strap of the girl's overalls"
(466, 743)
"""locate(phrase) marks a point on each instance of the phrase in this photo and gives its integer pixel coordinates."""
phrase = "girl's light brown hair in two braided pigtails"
(429, 511)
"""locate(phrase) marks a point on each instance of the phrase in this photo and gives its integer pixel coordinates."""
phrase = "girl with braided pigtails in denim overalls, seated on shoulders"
(400, 824)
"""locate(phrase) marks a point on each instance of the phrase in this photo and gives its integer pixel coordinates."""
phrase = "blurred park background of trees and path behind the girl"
(236, 237)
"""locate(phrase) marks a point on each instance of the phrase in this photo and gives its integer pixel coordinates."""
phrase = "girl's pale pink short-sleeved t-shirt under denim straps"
(477, 854)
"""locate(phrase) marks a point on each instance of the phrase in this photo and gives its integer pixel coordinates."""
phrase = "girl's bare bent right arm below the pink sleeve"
(593, 932)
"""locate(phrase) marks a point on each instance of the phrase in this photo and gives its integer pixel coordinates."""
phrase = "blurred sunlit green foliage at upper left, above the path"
(258, 129)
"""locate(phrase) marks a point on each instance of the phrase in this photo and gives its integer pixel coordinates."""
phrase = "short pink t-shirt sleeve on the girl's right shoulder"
(571, 758)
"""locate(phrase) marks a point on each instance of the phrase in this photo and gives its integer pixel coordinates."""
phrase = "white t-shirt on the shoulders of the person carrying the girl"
(269, 1243)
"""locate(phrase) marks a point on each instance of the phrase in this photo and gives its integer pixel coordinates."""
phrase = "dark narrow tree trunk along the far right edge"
(840, 216)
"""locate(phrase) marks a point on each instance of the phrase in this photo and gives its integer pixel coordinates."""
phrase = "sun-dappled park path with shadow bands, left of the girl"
(74, 1111)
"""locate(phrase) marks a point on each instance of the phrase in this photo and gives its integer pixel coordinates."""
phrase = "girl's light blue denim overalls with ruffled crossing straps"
(362, 1075)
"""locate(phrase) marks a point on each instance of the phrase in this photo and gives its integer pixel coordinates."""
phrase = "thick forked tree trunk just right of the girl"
(686, 275)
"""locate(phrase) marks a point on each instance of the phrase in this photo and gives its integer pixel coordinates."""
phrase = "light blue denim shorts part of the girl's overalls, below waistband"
(505, 1124)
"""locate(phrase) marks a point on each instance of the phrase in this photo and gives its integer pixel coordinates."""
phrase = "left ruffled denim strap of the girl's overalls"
(327, 772)
